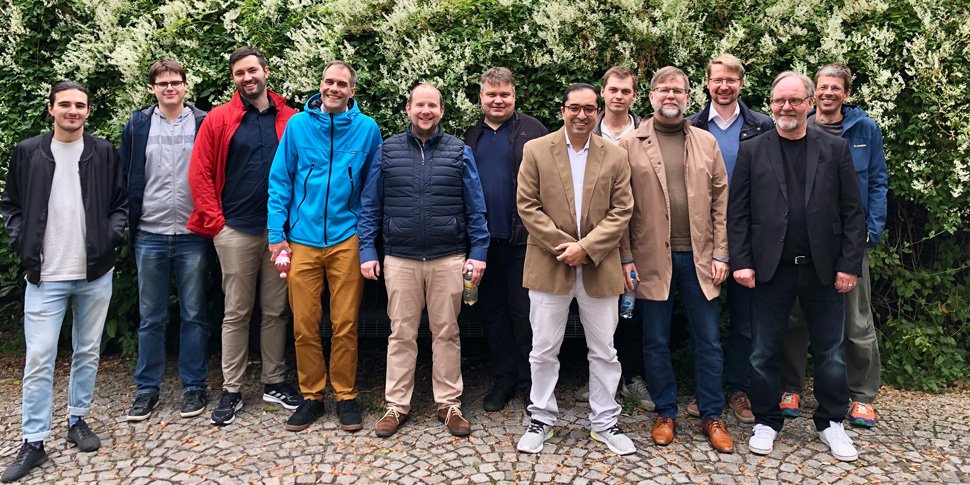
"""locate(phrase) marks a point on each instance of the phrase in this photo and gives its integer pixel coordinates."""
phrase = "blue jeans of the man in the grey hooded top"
(157, 256)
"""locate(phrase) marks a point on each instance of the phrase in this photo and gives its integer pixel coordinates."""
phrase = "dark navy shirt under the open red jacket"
(251, 152)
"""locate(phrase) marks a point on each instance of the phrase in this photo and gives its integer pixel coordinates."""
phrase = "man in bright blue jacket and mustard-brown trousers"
(314, 198)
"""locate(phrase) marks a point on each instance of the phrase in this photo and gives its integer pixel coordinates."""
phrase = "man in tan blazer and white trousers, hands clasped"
(574, 198)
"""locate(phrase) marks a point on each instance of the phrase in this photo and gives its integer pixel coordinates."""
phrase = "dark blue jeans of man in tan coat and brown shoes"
(703, 317)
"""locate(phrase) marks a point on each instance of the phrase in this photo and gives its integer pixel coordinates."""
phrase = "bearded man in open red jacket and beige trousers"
(228, 175)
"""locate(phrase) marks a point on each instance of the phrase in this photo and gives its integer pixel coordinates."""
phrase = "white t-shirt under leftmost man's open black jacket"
(65, 256)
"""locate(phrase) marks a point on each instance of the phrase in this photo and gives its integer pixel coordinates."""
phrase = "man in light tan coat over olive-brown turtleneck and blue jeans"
(678, 240)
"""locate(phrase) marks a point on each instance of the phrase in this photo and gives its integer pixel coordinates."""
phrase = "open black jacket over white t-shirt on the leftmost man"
(27, 193)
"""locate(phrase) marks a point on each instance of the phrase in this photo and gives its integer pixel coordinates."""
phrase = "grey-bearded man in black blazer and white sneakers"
(796, 229)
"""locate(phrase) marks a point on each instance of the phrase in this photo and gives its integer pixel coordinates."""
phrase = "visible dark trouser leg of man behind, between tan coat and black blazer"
(737, 356)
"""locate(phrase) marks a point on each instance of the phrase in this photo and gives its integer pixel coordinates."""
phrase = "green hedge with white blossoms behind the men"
(909, 57)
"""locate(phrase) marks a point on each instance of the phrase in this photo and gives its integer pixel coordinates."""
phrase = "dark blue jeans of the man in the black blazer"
(824, 311)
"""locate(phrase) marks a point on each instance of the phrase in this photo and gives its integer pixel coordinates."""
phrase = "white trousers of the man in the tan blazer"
(599, 317)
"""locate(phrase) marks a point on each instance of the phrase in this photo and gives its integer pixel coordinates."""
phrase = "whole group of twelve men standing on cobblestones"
(609, 203)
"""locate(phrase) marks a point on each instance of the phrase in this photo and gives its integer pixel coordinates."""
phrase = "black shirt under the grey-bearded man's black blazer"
(796, 235)
